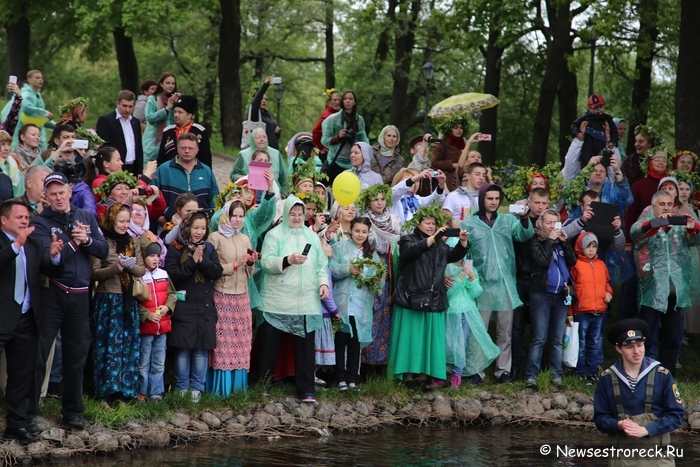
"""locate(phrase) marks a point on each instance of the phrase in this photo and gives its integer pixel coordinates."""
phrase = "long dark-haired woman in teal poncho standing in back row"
(340, 131)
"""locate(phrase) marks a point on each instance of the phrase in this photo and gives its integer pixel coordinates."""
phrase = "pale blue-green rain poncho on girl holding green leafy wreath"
(347, 295)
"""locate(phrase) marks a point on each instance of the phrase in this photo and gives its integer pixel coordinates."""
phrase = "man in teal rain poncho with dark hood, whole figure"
(491, 235)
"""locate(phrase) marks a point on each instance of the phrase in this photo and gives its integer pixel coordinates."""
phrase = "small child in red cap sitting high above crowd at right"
(597, 133)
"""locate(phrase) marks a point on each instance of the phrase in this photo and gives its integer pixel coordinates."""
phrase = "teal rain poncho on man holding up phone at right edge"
(662, 258)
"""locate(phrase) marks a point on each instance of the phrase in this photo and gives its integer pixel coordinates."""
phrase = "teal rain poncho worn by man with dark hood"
(494, 258)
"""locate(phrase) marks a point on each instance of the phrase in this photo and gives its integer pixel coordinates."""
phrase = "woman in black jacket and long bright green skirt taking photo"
(420, 299)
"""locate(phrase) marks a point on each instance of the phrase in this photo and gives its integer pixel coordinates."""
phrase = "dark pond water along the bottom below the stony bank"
(398, 446)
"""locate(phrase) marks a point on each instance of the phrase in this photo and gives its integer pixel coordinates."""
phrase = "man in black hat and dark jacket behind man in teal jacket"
(183, 110)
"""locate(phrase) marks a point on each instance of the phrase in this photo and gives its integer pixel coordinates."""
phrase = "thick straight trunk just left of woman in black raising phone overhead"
(229, 73)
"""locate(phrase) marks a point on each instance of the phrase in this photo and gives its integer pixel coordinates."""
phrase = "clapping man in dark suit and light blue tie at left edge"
(22, 259)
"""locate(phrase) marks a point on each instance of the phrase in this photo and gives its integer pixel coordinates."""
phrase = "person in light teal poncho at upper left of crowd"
(33, 109)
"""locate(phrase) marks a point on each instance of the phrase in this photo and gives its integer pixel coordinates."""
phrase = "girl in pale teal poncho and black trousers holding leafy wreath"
(355, 303)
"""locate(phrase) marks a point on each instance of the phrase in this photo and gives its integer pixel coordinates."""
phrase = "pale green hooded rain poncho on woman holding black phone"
(292, 294)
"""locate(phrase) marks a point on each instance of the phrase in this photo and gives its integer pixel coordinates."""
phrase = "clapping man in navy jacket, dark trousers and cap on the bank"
(66, 302)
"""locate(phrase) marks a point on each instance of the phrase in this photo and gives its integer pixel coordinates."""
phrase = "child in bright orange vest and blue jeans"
(592, 283)
